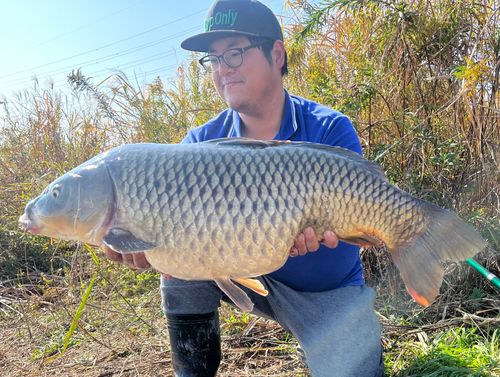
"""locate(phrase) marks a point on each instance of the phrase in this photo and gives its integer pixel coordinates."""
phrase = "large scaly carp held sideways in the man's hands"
(231, 209)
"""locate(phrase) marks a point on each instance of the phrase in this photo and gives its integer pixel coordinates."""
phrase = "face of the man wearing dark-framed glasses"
(245, 87)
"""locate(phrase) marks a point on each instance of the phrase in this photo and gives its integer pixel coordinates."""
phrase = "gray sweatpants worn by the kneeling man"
(338, 329)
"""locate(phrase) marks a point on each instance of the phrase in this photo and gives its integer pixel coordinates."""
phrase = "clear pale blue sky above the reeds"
(48, 39)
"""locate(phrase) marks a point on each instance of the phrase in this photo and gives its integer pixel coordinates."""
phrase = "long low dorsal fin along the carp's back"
(246, 142)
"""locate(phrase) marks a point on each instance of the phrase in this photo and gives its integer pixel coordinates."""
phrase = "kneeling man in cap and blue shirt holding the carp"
(319, 297)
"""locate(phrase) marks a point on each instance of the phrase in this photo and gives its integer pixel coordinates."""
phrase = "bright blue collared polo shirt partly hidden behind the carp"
(303, 120)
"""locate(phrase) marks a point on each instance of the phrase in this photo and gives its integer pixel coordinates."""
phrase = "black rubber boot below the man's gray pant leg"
(195, 344)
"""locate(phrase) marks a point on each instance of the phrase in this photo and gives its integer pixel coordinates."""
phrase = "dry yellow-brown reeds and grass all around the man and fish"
(419, 81)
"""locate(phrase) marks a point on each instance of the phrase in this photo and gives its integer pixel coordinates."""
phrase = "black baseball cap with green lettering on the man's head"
(229, 18)
